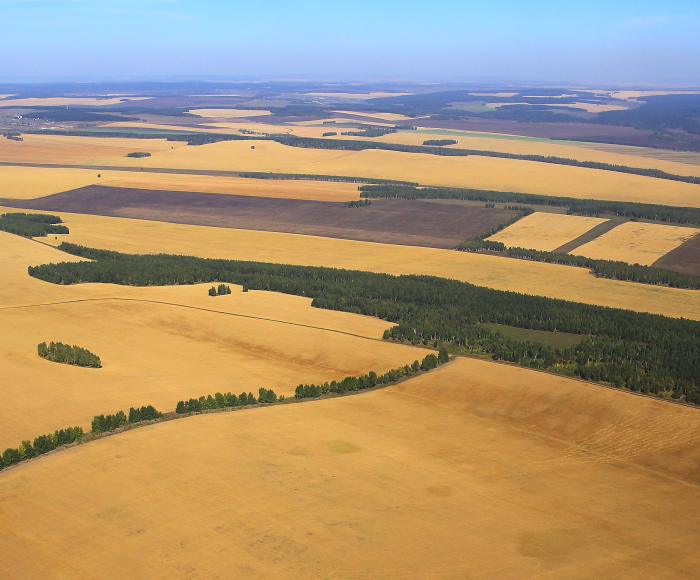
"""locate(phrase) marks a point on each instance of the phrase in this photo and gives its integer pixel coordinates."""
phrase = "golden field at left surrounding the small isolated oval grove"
(160, 345)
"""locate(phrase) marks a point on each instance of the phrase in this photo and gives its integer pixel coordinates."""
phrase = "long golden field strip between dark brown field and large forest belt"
(537, 278)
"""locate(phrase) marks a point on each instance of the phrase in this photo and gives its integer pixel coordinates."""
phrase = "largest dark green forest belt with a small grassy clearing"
(641, 351)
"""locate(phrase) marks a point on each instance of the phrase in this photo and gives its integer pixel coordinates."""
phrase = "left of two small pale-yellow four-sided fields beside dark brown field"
(545, 231)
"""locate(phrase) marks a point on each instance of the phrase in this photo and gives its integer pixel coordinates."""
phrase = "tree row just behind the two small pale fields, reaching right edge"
(586, 207)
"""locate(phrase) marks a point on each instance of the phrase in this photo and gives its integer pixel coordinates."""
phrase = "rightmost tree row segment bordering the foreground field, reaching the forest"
(371, 379)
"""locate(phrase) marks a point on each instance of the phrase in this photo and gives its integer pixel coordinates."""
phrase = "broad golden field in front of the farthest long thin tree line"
(473, 171)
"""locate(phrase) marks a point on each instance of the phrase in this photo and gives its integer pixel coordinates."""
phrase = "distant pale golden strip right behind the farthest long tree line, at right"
(632, 156)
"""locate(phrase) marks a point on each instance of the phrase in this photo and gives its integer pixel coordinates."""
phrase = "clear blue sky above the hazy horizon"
(624, 42)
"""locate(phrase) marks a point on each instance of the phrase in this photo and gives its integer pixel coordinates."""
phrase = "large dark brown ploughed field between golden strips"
(391, 221)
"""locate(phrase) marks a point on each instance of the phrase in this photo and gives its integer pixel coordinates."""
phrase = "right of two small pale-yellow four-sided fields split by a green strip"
(636, 243)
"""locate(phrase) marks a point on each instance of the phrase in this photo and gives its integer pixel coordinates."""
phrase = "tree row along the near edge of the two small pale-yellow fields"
(600, 268)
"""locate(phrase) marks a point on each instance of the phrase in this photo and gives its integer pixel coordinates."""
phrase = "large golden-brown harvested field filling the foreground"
(442, 476)
